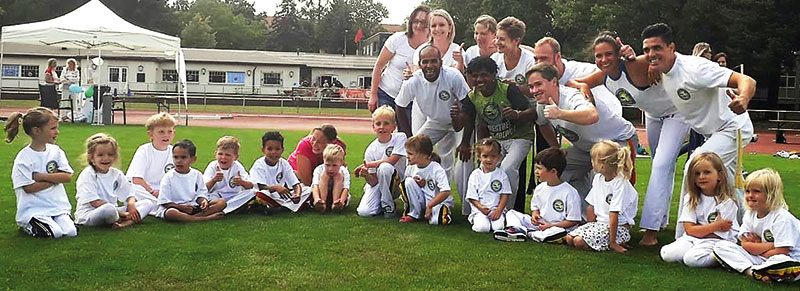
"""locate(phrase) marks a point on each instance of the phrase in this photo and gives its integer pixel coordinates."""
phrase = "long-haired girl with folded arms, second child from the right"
(708, 216)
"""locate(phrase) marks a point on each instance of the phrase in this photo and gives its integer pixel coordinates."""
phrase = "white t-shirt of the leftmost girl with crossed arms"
(51, 201)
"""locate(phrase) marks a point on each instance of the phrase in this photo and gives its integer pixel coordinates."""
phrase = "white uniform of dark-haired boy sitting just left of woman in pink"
(282, 174)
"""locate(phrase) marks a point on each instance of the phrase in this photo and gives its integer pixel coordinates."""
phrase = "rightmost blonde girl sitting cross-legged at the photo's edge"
(770, 235)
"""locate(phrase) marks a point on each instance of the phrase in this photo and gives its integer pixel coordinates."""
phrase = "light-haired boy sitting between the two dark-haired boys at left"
(227, 178)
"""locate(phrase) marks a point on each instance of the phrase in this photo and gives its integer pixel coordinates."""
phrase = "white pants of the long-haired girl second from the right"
(692, 251)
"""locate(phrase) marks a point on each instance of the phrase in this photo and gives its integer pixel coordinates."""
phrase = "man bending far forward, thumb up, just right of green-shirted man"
(577, 120)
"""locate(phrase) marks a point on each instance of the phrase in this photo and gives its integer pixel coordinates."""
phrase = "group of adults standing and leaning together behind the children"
(523, 96)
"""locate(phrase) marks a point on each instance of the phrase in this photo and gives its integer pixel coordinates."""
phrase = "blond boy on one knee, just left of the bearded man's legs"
(384, 161)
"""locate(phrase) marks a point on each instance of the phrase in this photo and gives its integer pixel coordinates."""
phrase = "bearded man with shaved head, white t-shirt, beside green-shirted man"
(435, 89)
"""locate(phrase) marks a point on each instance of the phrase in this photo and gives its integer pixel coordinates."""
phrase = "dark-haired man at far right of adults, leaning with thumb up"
(697, 87)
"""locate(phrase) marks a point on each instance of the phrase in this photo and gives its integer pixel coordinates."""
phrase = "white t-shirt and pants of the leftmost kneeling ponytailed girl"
(44, 213)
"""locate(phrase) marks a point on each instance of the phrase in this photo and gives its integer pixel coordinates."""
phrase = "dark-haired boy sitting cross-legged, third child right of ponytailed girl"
(184, 196)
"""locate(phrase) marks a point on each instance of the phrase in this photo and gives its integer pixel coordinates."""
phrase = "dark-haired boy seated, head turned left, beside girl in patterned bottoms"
(555, 205)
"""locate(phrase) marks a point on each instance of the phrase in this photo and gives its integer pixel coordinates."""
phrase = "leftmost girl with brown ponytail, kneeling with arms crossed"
(38, 175)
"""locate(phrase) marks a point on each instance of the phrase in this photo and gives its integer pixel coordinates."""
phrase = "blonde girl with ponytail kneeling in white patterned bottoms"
(612, 201)
